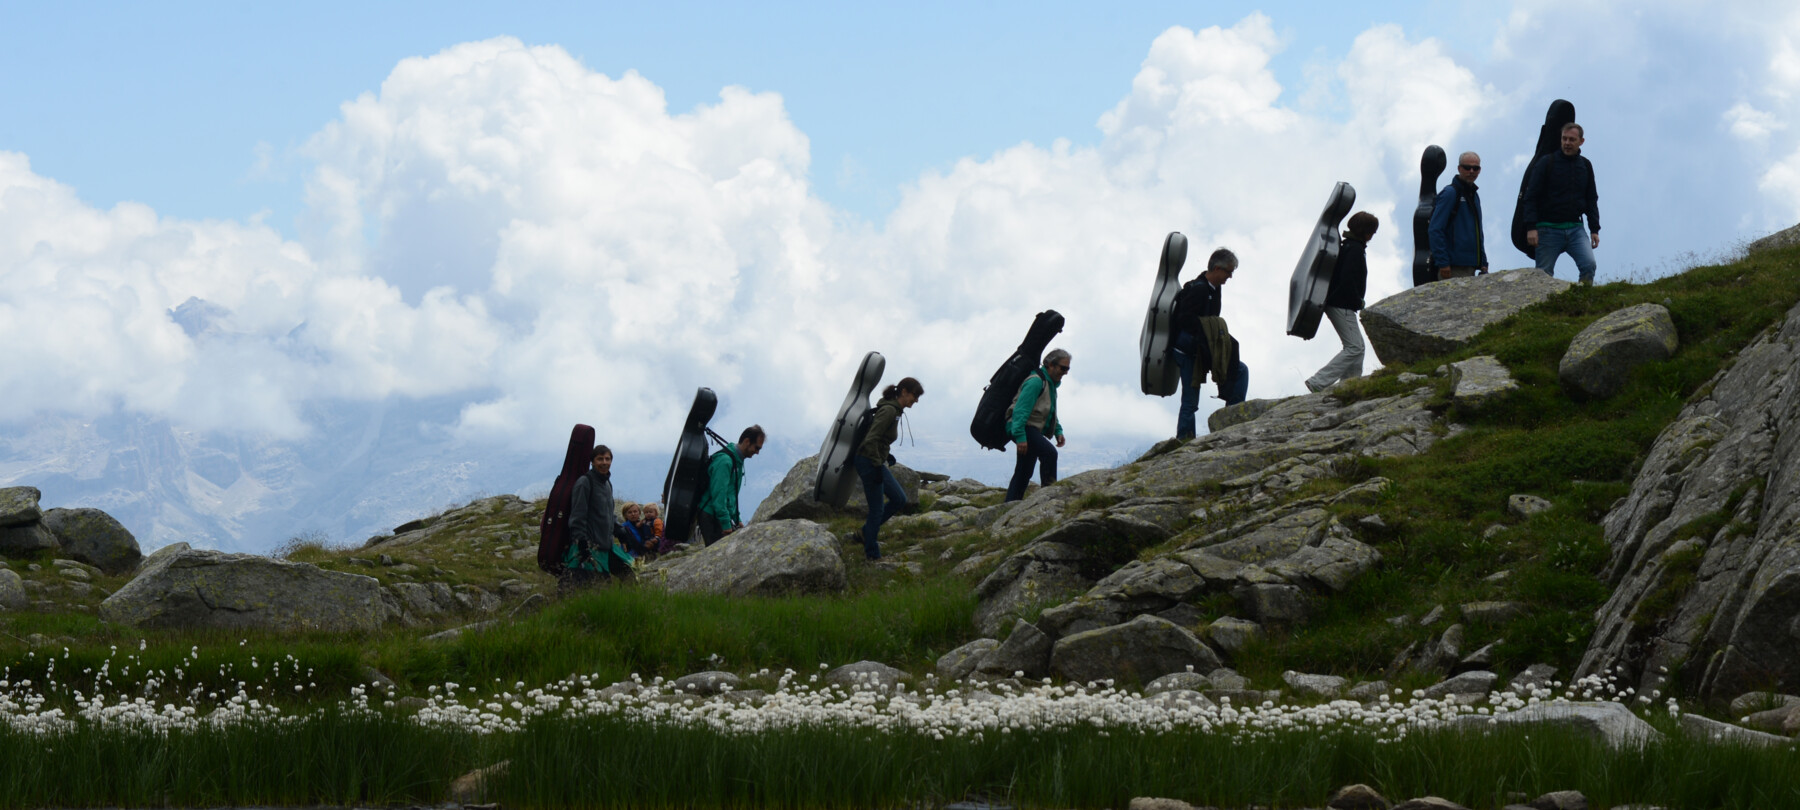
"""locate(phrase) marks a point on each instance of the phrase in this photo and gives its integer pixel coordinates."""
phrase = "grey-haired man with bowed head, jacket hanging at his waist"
(1200, 330)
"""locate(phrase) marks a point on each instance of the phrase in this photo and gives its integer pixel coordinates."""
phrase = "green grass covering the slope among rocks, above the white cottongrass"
(1579, 456)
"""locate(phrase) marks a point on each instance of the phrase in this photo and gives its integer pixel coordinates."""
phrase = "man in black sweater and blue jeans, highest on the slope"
(1558, 192)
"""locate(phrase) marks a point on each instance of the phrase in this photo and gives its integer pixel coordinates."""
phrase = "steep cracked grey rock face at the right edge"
(1704, 566)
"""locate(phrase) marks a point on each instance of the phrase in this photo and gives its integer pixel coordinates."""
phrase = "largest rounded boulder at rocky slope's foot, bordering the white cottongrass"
(1140, 651)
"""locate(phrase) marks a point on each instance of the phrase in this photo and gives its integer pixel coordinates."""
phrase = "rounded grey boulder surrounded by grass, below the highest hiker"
(1601, 359)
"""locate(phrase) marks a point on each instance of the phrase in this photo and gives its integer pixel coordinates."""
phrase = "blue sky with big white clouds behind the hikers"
(222, 213)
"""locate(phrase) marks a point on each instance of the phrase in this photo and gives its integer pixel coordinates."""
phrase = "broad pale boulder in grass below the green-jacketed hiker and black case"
(762, 559)
